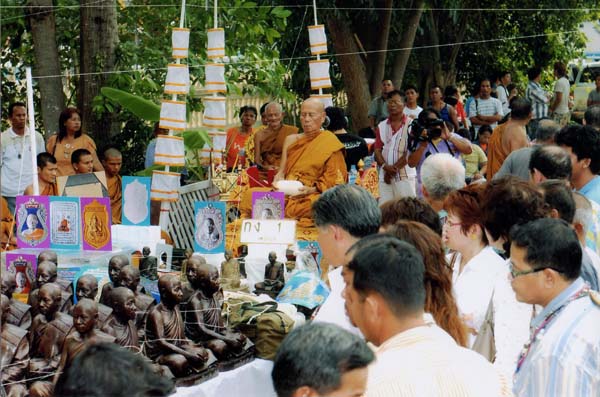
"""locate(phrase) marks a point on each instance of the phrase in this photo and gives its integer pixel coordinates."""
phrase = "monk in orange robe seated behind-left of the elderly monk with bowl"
(268, 142)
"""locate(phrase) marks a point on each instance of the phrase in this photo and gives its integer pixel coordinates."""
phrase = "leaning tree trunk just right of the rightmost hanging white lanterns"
(353, 71)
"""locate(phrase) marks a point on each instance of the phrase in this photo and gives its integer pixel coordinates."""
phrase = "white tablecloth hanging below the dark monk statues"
(250, 380)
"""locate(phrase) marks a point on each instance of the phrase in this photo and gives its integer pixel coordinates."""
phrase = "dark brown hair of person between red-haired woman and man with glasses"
(510, 201)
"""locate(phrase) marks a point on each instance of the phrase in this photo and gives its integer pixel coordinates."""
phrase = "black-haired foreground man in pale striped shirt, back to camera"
(385, 298)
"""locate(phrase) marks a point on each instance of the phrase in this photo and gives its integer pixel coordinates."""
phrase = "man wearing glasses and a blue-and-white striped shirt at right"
(562, 355)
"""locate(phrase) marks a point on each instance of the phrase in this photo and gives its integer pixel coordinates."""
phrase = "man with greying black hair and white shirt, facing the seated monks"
(343, 215)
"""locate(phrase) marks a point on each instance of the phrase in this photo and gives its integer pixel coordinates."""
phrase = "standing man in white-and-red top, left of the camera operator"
(396, 179)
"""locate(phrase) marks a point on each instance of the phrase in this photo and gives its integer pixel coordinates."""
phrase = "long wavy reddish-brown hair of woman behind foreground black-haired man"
(439, 301)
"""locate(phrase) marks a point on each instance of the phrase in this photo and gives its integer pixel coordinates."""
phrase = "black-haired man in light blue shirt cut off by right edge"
(583, 144)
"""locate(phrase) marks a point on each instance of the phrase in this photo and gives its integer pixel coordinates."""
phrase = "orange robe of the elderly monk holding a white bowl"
(316, 163)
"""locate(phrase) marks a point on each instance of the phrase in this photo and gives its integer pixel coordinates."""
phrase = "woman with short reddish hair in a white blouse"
(481, 275)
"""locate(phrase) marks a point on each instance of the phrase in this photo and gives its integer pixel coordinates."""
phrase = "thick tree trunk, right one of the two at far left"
(98, 40)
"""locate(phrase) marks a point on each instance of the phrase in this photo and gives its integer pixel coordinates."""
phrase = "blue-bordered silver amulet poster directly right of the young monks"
(136, 200)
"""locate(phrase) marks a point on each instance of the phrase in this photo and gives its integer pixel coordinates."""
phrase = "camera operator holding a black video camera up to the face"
(429, 135)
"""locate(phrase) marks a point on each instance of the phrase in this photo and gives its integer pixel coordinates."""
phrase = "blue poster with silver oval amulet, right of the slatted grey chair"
(209, 232)
